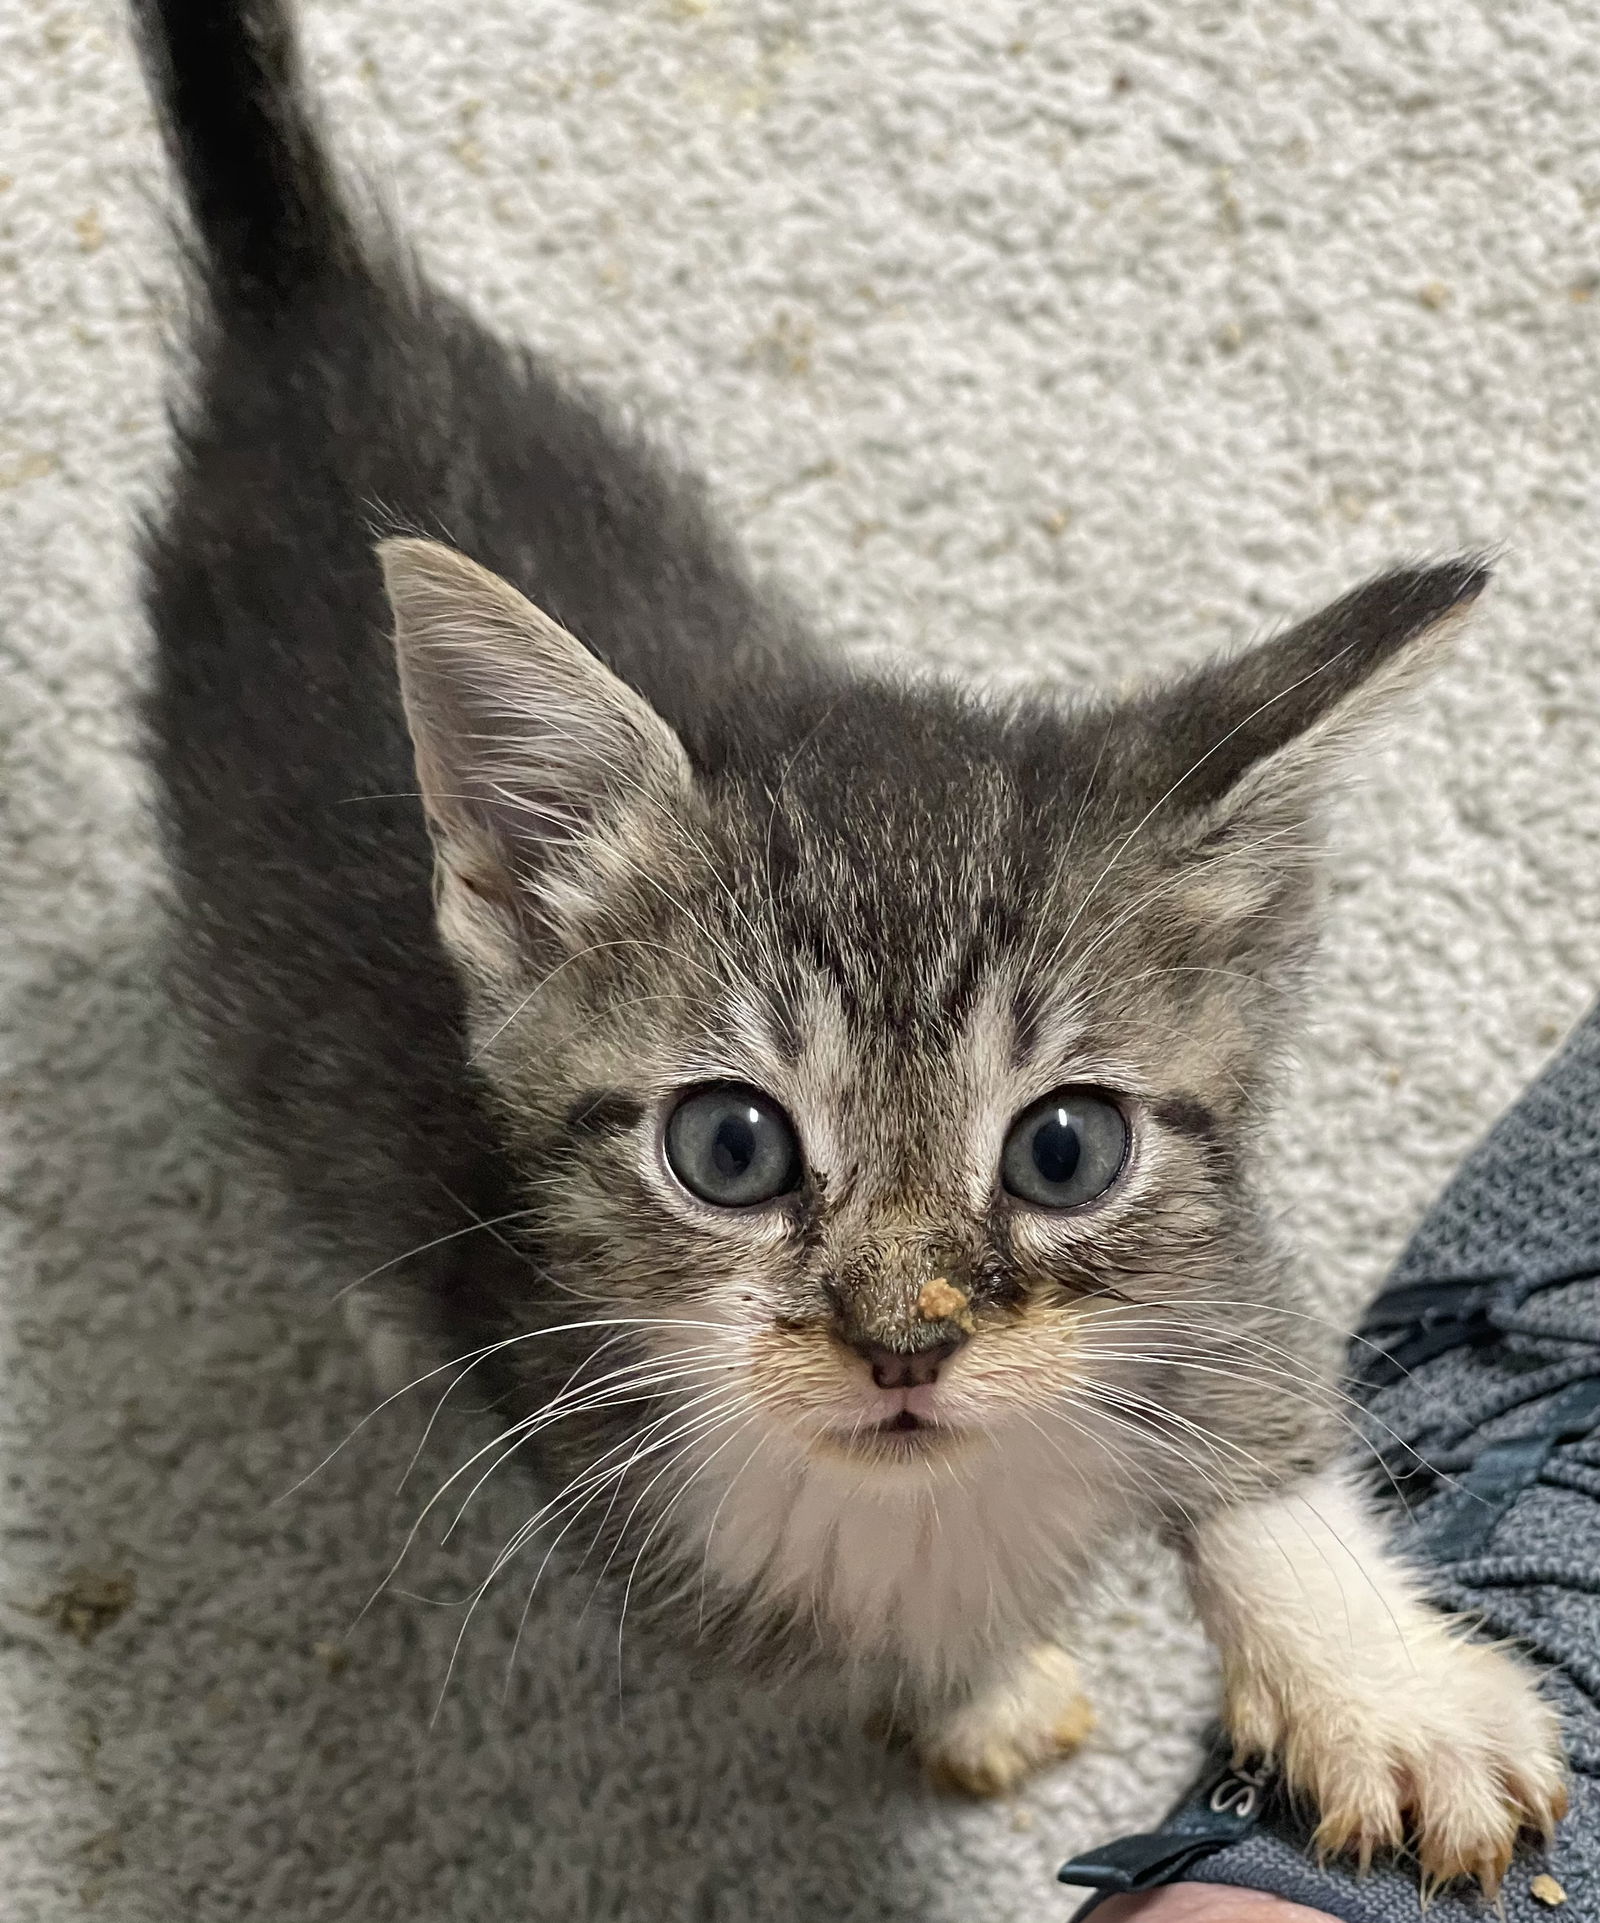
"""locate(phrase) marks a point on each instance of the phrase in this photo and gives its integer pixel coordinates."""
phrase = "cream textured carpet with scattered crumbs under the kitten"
(1045, 337)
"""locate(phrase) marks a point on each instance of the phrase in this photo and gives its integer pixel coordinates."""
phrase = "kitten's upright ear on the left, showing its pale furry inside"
(526, 745)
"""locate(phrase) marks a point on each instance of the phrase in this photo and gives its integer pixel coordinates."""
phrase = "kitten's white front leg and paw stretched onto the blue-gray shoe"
(1372, 1703)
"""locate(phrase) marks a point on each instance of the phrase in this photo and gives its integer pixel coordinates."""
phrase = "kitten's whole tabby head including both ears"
(895, 1066)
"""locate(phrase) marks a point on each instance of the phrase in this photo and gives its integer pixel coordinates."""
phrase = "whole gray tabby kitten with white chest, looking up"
(859, 1076)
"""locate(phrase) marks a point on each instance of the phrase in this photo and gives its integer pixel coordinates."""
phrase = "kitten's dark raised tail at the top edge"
(261, 187)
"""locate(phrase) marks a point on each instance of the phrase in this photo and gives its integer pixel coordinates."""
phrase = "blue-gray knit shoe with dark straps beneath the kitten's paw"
(1520, 1230)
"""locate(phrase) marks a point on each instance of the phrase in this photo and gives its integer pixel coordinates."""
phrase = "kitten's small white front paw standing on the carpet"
(1011, 1730)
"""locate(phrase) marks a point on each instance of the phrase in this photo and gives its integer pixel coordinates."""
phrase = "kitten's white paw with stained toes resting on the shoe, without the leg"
(1459, 1753)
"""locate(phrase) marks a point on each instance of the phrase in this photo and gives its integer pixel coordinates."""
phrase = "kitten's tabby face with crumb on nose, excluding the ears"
(895, 1097)
